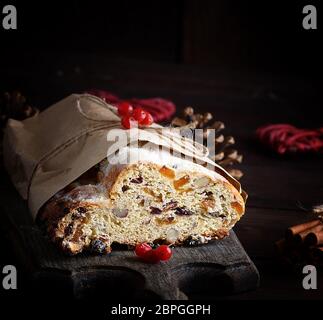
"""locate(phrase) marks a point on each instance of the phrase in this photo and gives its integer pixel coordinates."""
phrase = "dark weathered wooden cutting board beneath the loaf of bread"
(218, 268)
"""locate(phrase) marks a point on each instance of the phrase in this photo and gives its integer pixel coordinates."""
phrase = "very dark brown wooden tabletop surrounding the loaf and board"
(244, 100)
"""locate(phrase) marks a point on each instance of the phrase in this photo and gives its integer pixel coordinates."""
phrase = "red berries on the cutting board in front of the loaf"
(150, 255)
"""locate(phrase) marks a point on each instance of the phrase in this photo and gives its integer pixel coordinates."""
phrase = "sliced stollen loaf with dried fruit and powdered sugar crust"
(153, 198)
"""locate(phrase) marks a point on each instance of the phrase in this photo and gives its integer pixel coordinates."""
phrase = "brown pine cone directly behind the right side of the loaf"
(221, 151)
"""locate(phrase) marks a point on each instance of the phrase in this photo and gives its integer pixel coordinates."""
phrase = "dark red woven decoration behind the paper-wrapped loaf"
(161, 109)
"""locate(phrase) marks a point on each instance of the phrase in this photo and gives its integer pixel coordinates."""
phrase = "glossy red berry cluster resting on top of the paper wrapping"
(133, 117)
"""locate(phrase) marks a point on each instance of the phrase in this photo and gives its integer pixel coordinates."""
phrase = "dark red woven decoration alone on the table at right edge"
(285, 138)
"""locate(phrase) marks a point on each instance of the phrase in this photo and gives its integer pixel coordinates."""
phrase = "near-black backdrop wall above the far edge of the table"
(258, 35)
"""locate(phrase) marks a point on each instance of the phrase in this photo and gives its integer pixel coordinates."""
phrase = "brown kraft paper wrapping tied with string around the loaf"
(45, 153)
